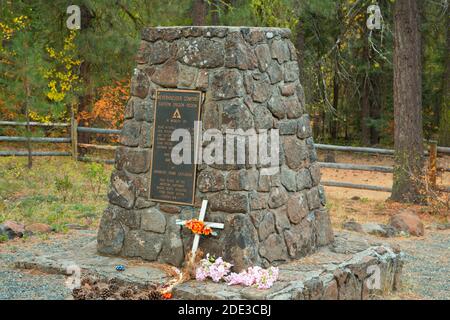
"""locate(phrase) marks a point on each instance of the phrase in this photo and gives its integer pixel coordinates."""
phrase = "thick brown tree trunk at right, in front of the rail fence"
(408, 133)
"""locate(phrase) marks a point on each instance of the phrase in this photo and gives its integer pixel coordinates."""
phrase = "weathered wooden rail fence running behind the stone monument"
(434, 150)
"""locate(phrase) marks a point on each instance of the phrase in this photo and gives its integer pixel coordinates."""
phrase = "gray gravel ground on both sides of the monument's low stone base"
(425, 275)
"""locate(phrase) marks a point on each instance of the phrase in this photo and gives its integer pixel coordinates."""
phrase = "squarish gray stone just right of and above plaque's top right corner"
(227, 84)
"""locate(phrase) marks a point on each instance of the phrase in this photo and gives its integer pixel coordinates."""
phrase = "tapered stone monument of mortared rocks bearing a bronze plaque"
(229, 78)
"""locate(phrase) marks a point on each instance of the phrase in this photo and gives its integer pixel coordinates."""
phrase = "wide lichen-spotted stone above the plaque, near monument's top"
(200, 52)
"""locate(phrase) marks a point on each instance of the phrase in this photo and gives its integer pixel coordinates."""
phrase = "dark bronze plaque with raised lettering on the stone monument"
(170, 182)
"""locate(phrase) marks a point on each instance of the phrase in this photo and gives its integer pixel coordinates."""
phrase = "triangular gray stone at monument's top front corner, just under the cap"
(238, 54)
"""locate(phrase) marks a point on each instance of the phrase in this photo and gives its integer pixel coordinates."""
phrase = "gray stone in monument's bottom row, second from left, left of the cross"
(143, 244)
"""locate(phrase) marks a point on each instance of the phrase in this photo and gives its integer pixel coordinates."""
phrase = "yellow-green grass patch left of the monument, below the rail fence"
(56, 191)
